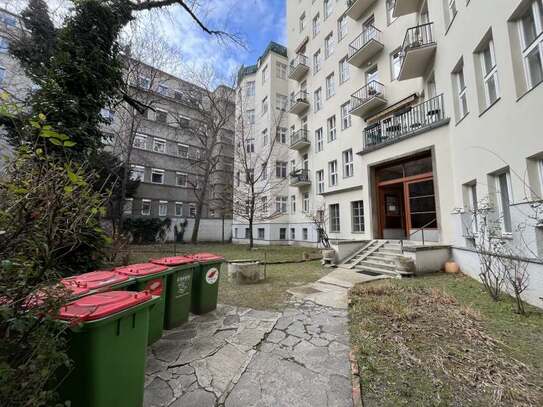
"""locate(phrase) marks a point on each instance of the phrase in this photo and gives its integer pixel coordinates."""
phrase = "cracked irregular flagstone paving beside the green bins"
(239, 357)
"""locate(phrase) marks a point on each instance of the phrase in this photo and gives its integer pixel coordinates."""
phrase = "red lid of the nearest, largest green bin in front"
(101, 305)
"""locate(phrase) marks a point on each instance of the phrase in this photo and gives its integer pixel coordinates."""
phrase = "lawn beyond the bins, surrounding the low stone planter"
(270, 294)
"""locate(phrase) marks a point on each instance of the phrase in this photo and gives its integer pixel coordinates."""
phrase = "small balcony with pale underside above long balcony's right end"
(418, 51)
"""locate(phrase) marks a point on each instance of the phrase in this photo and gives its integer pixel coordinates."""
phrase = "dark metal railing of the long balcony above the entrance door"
(405, 122)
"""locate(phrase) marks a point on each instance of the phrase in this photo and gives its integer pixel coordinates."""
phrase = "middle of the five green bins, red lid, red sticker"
(153, 278)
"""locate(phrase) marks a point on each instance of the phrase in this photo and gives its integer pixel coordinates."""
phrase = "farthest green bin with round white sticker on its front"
(205, 282)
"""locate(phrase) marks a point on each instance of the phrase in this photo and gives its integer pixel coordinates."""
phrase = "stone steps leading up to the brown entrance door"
(379, 257)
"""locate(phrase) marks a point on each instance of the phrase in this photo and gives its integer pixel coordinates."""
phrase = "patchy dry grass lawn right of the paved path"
(440, 340)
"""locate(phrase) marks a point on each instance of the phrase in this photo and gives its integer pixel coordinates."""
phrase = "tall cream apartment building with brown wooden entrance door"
(414, 111)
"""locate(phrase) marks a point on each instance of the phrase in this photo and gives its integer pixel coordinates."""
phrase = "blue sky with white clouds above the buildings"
(256, 22)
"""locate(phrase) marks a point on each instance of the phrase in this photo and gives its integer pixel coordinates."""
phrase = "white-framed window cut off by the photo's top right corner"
(531, 28)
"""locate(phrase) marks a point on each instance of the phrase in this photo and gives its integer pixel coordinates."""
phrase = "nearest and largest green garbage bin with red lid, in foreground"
(107, 342)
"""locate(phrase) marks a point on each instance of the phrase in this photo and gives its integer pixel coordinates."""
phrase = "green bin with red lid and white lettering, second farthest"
(178, 290)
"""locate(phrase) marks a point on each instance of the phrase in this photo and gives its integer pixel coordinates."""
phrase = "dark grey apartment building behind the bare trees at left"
(164, 144)
